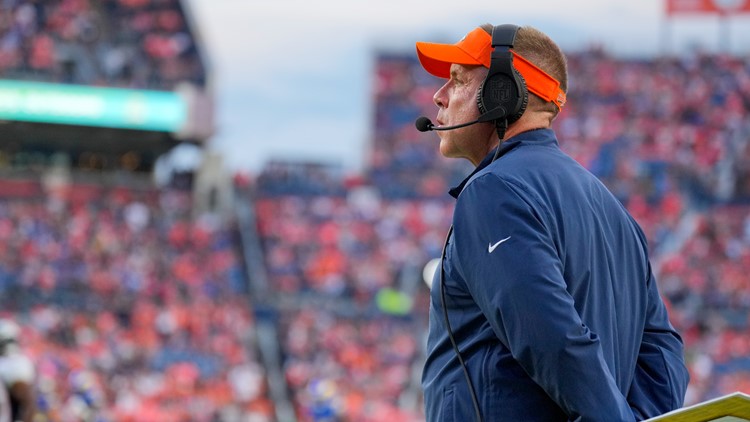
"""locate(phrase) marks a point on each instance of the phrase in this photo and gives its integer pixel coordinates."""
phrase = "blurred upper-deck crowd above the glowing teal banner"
(115, 43)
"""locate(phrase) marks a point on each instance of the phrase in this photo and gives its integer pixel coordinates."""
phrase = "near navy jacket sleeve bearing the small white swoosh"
(520, 288)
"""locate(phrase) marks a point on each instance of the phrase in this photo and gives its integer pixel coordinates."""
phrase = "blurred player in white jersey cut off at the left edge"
(17, 373)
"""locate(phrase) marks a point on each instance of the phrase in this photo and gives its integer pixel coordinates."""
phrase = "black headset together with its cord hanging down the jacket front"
(503, 92)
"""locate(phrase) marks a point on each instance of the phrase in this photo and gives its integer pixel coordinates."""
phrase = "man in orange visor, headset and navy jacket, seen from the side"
(545, 307)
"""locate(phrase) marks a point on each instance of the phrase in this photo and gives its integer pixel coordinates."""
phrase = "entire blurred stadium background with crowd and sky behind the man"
(221, 210)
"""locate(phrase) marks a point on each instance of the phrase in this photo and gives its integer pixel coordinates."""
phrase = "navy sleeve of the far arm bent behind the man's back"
(661, 377)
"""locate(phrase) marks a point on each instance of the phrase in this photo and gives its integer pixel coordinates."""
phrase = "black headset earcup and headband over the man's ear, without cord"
(503, 91)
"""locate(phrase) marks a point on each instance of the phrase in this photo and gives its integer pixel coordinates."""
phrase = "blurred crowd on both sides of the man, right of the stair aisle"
(670, 136)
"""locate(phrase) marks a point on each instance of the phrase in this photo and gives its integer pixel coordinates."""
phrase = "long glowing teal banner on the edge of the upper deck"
(92, 106)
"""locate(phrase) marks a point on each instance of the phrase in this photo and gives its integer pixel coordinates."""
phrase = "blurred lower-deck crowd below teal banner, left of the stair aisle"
(131, 308)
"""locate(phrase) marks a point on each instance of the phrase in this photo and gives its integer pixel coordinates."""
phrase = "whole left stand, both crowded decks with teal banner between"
(133, 298)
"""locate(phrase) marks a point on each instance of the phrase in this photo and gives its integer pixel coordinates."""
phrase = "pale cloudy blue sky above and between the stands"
(292, 79)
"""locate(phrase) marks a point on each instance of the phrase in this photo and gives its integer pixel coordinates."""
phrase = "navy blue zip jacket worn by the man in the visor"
(551, 299)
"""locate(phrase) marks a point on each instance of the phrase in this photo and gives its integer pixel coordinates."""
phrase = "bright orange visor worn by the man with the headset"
(476, 49)
